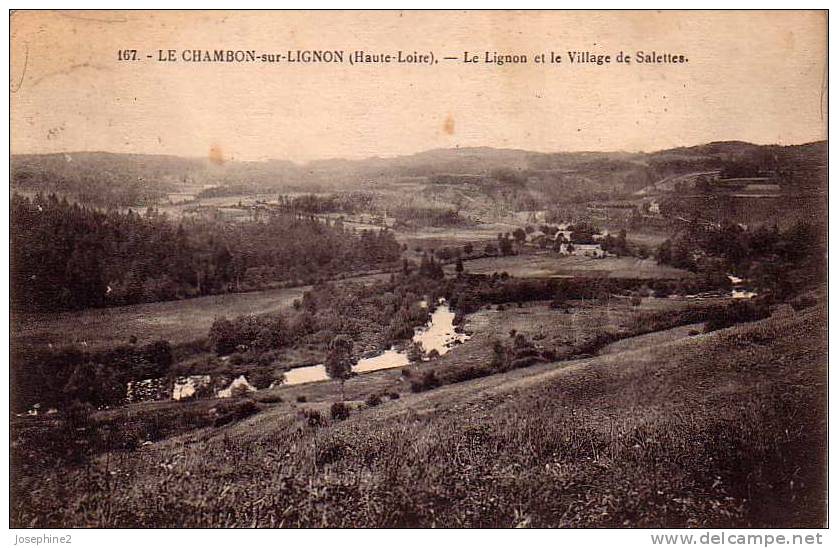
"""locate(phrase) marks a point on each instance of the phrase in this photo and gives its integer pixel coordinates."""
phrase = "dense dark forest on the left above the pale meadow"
(66, 256)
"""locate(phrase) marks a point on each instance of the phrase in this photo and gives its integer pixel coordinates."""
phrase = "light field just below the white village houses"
(547, 265)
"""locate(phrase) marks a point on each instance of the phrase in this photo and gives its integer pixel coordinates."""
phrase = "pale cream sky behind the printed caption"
(751, 76)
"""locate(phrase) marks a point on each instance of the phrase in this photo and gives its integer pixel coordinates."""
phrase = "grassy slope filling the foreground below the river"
(726, 429)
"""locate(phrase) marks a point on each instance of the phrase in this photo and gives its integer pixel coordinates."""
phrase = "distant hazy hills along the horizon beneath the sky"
(135, 179)
